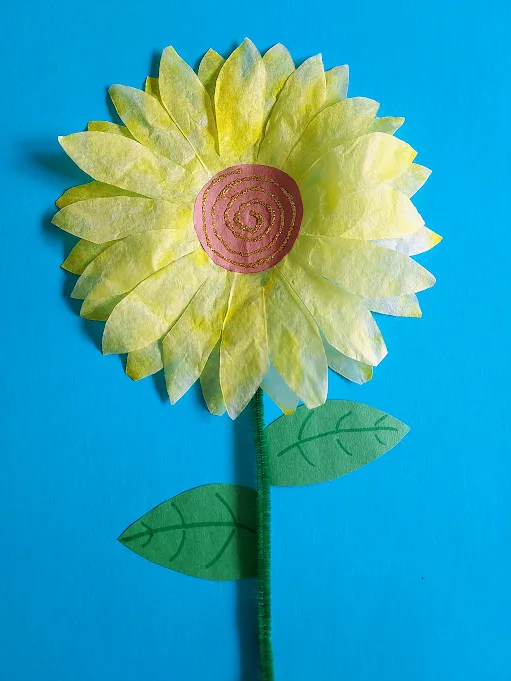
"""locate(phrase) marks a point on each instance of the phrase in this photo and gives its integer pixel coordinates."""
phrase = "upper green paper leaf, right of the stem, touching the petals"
(324, 443)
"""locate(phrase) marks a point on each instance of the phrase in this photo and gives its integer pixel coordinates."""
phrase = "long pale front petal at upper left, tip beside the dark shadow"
(125, 163)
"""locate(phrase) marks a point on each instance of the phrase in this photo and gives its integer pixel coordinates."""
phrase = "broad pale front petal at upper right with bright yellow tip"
(364, 163)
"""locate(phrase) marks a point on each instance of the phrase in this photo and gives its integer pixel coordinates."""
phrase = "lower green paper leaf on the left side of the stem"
(207, 532)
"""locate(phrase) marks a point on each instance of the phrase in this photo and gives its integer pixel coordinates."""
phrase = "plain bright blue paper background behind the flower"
(398, 572)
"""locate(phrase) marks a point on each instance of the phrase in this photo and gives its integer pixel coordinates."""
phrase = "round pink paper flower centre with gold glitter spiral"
(248, 217)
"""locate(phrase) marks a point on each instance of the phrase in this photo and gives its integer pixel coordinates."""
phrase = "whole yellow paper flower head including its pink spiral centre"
(242, 226)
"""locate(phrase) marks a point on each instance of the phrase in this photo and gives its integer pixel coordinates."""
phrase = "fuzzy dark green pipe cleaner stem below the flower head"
(264, 541)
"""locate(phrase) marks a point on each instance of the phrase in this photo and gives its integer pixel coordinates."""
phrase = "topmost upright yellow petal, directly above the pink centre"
(239, 104)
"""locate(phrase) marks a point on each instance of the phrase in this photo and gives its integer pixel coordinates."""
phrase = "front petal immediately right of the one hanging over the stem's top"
(295, 345)
